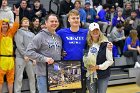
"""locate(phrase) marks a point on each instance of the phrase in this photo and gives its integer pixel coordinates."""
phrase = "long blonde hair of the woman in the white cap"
(101, 39)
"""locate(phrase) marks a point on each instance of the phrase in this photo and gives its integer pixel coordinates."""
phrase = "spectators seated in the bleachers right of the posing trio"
(116, 22)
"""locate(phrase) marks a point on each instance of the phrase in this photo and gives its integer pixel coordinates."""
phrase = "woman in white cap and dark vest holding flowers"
(98, 60)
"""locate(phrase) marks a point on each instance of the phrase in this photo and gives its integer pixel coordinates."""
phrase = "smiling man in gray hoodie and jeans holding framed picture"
(45, 48)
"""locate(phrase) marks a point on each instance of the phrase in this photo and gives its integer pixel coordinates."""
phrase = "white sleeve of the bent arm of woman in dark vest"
(108, 62)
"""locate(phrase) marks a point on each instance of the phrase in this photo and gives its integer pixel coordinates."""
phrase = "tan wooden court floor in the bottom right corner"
(125, 88)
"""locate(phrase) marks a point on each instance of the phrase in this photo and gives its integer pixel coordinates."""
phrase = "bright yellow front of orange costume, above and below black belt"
(6, 48)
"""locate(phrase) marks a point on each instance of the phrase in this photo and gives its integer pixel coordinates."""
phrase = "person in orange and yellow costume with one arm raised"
(6, 51)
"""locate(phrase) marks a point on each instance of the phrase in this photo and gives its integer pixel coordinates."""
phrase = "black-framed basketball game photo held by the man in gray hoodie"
(64, 75)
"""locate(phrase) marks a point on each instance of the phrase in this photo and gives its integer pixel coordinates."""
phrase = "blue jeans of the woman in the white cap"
(99, 85)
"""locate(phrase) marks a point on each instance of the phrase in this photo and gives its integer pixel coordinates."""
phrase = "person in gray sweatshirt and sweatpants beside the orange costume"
(22, 39)
